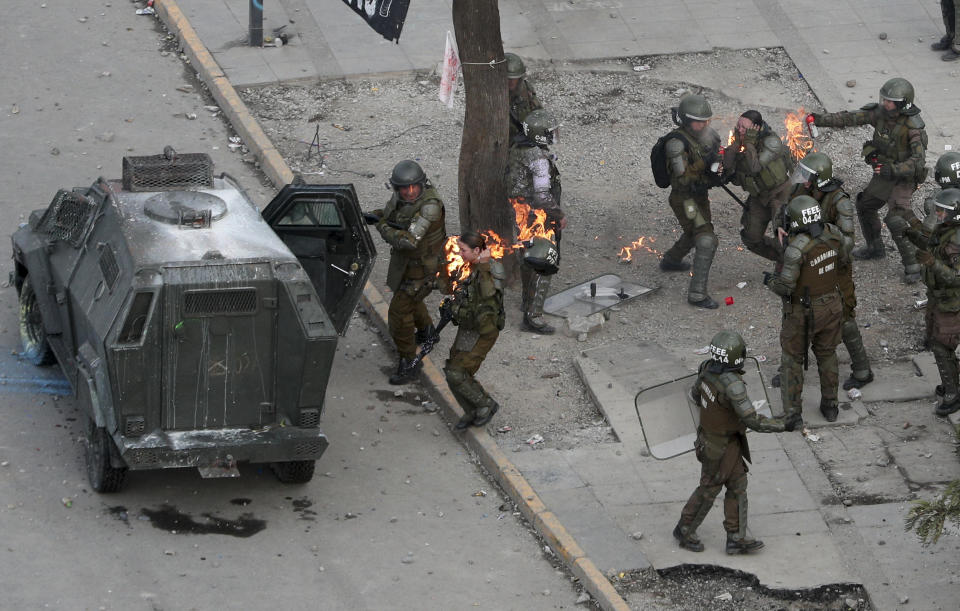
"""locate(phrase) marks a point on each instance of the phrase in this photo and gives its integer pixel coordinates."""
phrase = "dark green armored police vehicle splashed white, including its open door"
(195, 331)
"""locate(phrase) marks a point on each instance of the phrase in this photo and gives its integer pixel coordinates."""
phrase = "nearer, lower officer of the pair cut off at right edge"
(939, 239)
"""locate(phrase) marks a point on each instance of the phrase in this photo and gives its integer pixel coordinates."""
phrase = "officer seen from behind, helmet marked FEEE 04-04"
(809, 283)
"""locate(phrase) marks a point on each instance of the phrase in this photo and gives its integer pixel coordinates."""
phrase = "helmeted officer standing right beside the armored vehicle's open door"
(412, 223)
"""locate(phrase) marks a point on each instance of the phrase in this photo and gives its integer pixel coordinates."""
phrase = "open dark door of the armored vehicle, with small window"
(323, 226)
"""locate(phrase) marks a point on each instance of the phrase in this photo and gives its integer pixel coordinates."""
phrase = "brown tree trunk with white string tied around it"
(484, 146)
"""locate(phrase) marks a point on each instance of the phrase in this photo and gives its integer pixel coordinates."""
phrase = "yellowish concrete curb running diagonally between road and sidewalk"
(490, 454)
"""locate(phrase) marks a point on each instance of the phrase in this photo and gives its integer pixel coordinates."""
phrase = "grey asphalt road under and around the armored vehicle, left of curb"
(394, 517)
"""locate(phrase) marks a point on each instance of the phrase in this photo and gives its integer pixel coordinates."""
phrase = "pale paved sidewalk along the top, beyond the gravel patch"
(831, 42)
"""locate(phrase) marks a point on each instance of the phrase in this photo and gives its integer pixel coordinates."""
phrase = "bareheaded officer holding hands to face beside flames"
(759, 162)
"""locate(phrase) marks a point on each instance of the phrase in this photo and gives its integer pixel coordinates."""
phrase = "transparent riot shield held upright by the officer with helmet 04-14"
(669, 417)
